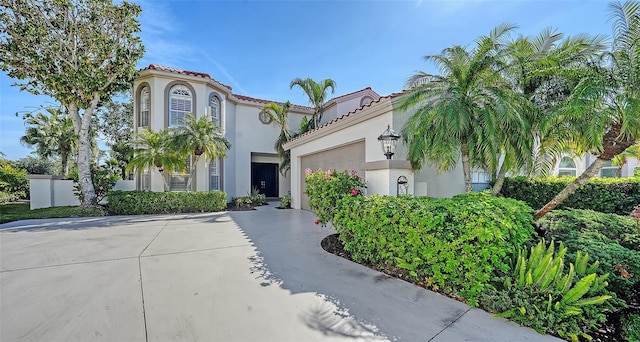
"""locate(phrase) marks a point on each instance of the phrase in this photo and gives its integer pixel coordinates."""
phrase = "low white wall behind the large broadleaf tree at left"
(48, 191)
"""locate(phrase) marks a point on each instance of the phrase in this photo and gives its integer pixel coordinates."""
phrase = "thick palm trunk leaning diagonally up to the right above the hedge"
(613, 146)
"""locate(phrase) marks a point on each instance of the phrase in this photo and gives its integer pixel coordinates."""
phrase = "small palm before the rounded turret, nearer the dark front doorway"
(199, 137)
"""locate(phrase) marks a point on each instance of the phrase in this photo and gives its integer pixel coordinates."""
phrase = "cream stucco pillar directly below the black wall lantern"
(383, 176)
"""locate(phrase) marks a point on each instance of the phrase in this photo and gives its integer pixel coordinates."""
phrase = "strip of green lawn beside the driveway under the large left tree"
(20, 211)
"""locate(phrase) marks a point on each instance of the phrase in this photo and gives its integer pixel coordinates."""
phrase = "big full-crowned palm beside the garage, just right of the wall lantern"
(462, 112)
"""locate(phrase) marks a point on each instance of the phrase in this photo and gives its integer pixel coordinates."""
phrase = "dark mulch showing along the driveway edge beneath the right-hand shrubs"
(609, 332)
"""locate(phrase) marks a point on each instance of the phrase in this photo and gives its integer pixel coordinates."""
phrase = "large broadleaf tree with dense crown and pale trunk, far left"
(77, 52)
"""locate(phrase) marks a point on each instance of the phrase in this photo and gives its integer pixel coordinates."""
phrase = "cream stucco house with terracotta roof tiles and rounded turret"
(347, 139)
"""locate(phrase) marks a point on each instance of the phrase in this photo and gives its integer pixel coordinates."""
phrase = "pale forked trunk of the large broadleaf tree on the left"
(81, 125)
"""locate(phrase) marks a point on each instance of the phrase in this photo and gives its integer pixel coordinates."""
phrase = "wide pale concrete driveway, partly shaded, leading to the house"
(240, 276)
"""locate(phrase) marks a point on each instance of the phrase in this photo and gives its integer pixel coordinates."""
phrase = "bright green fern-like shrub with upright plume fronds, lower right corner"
(541, 293)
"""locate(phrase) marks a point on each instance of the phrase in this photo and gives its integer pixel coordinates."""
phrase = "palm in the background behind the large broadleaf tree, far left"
(52, 134)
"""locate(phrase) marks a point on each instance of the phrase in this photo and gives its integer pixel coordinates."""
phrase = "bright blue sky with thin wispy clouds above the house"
(258, 47)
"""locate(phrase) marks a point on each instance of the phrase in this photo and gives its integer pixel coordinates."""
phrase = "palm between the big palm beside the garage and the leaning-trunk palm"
(540, 69)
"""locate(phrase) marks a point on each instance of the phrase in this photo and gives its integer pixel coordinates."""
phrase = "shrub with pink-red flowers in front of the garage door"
(325, 188)
